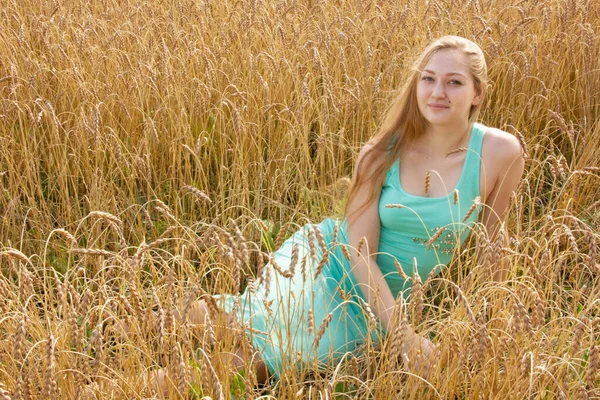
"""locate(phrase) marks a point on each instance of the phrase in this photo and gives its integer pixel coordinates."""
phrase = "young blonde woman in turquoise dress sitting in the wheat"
(431, 162)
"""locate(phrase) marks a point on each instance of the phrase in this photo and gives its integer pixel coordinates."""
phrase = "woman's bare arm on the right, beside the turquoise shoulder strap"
(503, 162)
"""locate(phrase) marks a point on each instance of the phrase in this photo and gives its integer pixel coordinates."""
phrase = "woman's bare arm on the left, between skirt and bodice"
(366, 271)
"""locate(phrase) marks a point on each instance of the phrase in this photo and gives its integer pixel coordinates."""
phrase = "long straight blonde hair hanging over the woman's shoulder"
(404, 122)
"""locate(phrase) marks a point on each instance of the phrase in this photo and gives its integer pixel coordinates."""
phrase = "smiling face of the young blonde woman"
(446, 89)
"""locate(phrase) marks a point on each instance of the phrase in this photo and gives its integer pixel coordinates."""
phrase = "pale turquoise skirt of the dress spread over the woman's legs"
(307, 313)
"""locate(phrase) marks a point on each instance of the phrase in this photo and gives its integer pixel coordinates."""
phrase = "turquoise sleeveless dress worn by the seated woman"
(285, 313)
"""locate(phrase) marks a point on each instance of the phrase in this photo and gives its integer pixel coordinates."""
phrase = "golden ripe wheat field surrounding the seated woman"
(151, 151)
